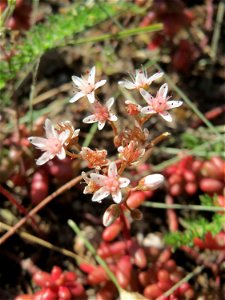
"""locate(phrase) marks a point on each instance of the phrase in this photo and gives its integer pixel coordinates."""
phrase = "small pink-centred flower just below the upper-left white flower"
(101, 114)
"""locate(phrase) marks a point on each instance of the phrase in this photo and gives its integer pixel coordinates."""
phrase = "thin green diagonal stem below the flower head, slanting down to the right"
(76, 229)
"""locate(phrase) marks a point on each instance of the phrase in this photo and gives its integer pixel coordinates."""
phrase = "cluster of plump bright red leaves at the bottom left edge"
(56, 285)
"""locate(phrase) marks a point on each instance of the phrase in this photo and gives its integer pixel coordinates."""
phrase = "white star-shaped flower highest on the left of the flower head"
(86, 87)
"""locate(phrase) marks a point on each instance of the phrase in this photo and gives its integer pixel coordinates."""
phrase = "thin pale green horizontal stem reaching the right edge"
(183, 206)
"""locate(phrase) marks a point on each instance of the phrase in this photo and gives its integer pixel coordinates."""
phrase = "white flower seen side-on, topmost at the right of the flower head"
(140, 80)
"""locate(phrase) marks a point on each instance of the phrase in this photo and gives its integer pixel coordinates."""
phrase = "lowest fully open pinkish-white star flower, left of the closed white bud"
(110, 184)
